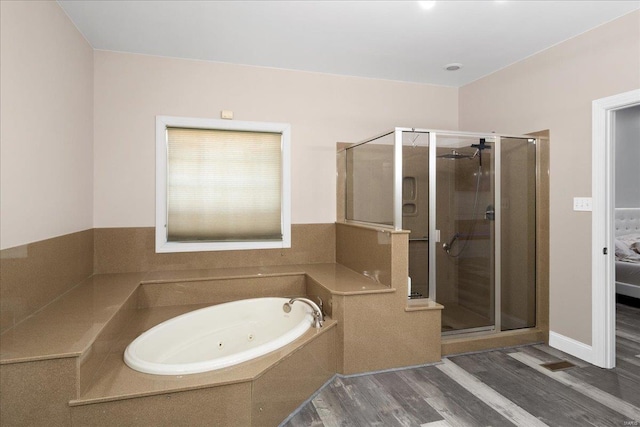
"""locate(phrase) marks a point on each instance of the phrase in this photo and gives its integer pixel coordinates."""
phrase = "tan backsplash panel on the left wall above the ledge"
(33, 275)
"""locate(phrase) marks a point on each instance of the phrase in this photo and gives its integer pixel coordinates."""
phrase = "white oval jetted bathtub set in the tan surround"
(218, 336)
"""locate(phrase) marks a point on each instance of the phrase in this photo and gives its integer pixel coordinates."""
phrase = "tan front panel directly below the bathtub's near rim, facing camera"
(218, 406)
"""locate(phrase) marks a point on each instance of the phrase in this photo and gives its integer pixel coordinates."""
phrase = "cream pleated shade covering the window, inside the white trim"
(223, 185)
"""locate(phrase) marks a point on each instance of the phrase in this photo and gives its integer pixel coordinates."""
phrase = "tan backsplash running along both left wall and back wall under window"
(34, 274)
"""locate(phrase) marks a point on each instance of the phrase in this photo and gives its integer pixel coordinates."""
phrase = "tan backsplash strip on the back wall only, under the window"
(133, 249)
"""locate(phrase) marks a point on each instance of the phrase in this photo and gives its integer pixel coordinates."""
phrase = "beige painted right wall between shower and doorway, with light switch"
(554, 90)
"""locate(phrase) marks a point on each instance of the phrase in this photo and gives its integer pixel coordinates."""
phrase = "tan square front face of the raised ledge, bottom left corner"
(37, 393)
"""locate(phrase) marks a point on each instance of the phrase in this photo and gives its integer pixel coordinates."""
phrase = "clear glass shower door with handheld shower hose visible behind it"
(465, 214)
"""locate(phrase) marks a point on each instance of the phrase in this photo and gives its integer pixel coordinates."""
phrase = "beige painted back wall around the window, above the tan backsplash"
(130, 90)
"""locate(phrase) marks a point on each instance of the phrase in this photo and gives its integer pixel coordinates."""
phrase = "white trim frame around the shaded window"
(162, 122)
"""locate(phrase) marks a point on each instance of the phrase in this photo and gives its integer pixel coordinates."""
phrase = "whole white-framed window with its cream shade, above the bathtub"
(222, 185)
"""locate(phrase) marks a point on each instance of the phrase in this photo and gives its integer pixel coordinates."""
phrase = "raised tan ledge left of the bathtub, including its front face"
(42, 358)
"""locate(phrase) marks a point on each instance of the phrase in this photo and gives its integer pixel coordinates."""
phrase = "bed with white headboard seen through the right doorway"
(627, 251)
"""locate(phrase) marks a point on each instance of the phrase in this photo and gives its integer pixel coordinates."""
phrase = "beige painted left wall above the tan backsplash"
(47, 124)
